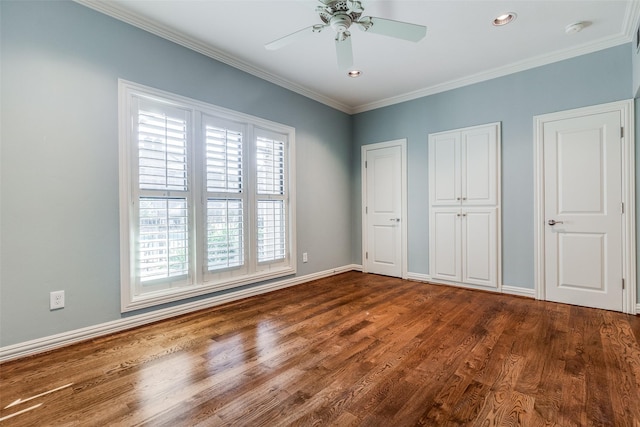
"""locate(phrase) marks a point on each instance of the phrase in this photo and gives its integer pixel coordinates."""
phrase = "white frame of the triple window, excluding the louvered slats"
(199, 280)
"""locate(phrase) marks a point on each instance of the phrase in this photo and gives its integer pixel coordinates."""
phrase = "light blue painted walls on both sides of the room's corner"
(59, 154)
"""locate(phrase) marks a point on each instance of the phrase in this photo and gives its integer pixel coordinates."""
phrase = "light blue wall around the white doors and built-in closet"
(514, 100)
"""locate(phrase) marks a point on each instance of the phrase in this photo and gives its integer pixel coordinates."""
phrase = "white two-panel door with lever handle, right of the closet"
(583, 217)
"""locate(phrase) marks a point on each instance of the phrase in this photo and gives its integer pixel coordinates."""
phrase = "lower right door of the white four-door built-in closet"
(479, 243)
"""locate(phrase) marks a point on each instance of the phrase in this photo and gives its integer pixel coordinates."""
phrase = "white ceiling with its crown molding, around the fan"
(461, 46)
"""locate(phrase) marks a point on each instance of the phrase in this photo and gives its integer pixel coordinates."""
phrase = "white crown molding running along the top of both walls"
(626, 35)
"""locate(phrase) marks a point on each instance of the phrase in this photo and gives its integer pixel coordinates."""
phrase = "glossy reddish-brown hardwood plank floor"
(354, 349)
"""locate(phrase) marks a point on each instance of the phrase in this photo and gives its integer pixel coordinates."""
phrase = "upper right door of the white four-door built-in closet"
(479, 165)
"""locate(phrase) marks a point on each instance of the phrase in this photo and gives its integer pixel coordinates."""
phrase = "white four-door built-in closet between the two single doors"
(464, 206)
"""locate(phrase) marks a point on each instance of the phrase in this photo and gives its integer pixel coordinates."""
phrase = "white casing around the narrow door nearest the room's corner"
(402, 143)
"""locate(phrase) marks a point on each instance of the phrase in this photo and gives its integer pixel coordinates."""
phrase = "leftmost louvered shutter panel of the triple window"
(162, 248)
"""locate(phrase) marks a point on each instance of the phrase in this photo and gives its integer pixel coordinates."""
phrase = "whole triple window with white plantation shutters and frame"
(205, 198)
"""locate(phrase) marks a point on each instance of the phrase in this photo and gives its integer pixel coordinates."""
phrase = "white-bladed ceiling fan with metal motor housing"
(340, 15)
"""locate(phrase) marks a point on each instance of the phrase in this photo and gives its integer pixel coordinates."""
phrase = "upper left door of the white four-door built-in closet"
(444, 172)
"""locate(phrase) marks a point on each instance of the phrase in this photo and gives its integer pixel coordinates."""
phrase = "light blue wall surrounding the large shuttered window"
(59, 158)
